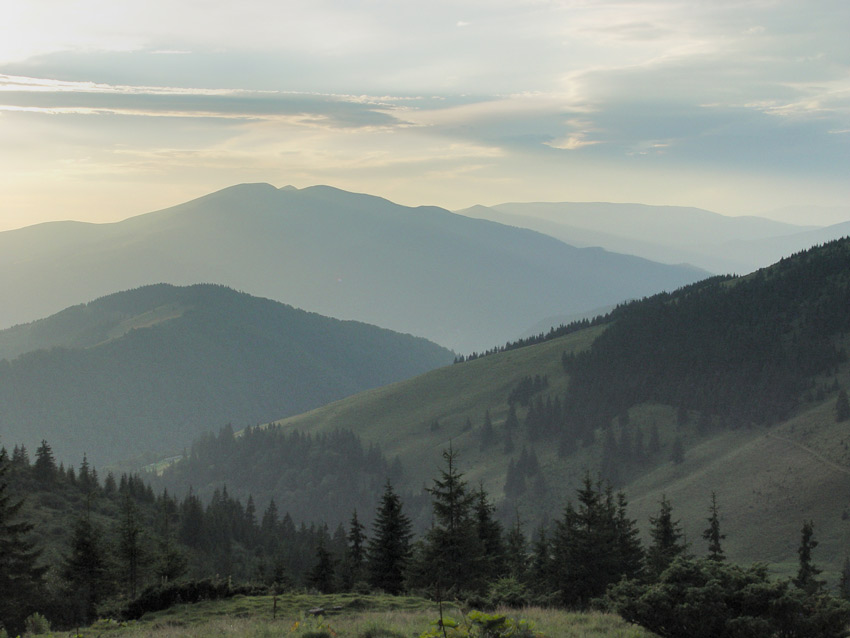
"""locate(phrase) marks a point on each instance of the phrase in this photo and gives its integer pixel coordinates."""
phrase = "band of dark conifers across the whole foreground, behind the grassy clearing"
(124, 538)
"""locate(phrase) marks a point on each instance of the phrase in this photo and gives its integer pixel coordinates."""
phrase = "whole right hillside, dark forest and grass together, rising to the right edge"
(772, 462)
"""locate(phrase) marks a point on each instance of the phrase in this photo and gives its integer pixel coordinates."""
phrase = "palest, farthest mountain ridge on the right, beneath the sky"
(668, 234)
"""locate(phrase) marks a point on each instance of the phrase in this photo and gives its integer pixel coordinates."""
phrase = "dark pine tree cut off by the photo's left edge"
(20, 576)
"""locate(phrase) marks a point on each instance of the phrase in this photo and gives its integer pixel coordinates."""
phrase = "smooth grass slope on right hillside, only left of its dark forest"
(399, 416)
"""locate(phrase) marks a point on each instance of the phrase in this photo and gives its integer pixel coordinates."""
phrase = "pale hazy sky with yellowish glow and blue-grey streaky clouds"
(110, 108)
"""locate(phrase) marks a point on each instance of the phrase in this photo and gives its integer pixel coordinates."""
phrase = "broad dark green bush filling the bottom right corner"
(710, 599)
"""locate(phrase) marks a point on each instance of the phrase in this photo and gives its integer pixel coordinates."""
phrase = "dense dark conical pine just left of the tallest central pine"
(389, 549)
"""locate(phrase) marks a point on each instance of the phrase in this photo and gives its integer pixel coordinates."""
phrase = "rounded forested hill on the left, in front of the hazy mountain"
(150, 369)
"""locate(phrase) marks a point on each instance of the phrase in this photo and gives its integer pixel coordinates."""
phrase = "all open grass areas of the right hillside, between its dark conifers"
(766, 483)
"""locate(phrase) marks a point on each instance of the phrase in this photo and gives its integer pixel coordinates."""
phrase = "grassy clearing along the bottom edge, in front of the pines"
(356, 616)
